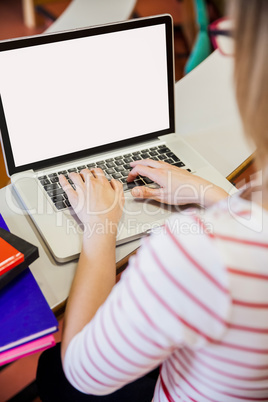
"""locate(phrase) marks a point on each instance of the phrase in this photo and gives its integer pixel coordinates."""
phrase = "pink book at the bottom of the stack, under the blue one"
(27, 349)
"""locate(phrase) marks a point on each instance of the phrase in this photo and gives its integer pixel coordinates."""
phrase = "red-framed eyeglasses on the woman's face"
(221, 34)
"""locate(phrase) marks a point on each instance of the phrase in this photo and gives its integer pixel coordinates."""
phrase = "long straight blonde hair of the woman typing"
(251, 69)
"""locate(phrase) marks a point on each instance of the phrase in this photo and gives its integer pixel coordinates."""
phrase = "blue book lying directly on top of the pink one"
(24, 312)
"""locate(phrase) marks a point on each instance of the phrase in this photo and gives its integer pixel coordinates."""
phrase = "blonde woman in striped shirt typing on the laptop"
(194, 300)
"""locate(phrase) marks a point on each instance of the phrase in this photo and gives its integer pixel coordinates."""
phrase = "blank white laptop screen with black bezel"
(69, 94)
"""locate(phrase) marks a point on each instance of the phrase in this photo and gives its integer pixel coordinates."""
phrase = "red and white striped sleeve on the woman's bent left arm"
(173, 293)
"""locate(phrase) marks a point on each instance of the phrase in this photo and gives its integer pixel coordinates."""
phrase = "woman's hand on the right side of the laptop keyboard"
(177, 185)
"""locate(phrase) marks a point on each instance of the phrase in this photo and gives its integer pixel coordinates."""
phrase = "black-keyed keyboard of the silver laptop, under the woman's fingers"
(117, 168)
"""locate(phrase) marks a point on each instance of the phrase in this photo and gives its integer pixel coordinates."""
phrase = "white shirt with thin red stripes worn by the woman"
(195, 301)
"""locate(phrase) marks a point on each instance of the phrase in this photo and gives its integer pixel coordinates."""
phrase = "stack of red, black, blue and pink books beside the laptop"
(26, 320)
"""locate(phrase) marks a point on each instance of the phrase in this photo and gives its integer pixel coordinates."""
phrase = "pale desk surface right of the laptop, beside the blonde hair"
(207, 114)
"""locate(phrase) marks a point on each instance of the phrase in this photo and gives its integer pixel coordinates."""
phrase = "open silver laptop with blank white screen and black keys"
(100, 96)
